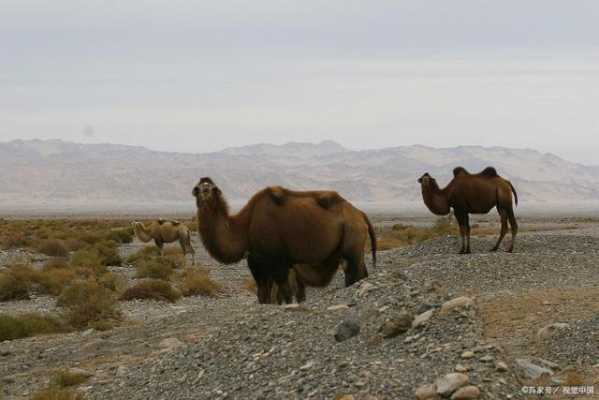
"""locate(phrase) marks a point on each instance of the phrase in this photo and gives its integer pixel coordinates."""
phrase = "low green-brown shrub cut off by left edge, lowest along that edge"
(26, 325)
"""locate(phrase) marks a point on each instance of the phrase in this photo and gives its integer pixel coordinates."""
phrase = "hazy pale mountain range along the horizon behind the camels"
(58, 175)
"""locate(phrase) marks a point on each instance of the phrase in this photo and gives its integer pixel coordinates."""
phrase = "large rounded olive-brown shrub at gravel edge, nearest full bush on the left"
(89, 304)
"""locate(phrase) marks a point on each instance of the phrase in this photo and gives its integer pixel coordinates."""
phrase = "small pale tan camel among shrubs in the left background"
(165, 231)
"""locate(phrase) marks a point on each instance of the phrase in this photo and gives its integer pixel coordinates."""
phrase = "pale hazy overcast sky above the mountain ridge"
(202, 75)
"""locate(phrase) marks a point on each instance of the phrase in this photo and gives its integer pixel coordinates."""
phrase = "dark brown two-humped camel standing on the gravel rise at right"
(472, 194)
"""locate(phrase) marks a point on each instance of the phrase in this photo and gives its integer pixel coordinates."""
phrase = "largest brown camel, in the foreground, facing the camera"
(278, 229)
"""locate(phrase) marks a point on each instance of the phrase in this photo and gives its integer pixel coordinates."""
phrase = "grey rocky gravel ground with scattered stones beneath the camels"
(426, 320)
